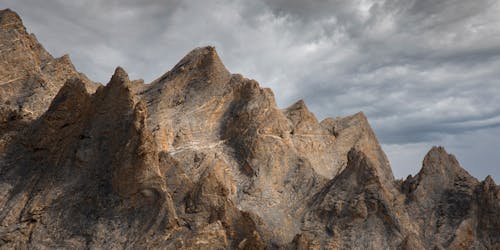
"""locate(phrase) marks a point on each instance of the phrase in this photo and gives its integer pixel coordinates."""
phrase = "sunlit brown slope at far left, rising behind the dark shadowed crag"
(31, 77)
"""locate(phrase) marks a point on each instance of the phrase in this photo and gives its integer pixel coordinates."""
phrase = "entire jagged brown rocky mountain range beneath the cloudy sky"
(202, 158)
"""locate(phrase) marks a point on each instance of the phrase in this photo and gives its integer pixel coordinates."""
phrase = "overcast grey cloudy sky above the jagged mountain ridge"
(425, 72)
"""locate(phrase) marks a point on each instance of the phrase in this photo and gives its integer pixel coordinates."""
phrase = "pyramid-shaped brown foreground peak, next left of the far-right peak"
(357, 210)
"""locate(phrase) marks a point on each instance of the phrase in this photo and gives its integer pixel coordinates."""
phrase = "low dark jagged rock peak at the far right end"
(449, 206)
